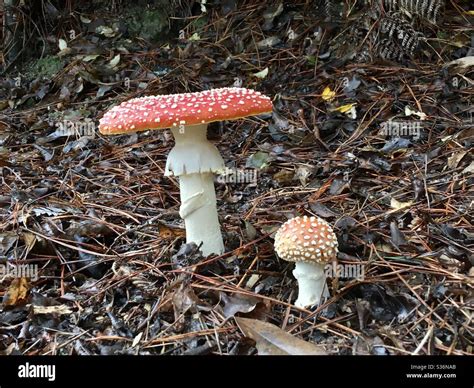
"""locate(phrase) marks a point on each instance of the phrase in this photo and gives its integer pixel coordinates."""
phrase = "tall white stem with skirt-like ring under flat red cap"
(194, 160)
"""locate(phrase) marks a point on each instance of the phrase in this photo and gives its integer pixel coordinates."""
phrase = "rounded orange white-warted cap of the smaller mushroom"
(309, 239)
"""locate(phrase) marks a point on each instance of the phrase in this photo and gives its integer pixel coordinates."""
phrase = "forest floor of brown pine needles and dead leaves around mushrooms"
(98, 222)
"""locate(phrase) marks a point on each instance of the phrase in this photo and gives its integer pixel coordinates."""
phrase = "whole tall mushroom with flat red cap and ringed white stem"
(193, 159)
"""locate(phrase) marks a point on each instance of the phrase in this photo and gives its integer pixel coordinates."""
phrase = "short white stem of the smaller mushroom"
(311, 283)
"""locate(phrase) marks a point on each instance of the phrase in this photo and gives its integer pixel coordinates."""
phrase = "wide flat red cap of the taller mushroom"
(172, 110)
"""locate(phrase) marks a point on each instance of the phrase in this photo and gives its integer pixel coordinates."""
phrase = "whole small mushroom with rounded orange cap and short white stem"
(311, 243)
